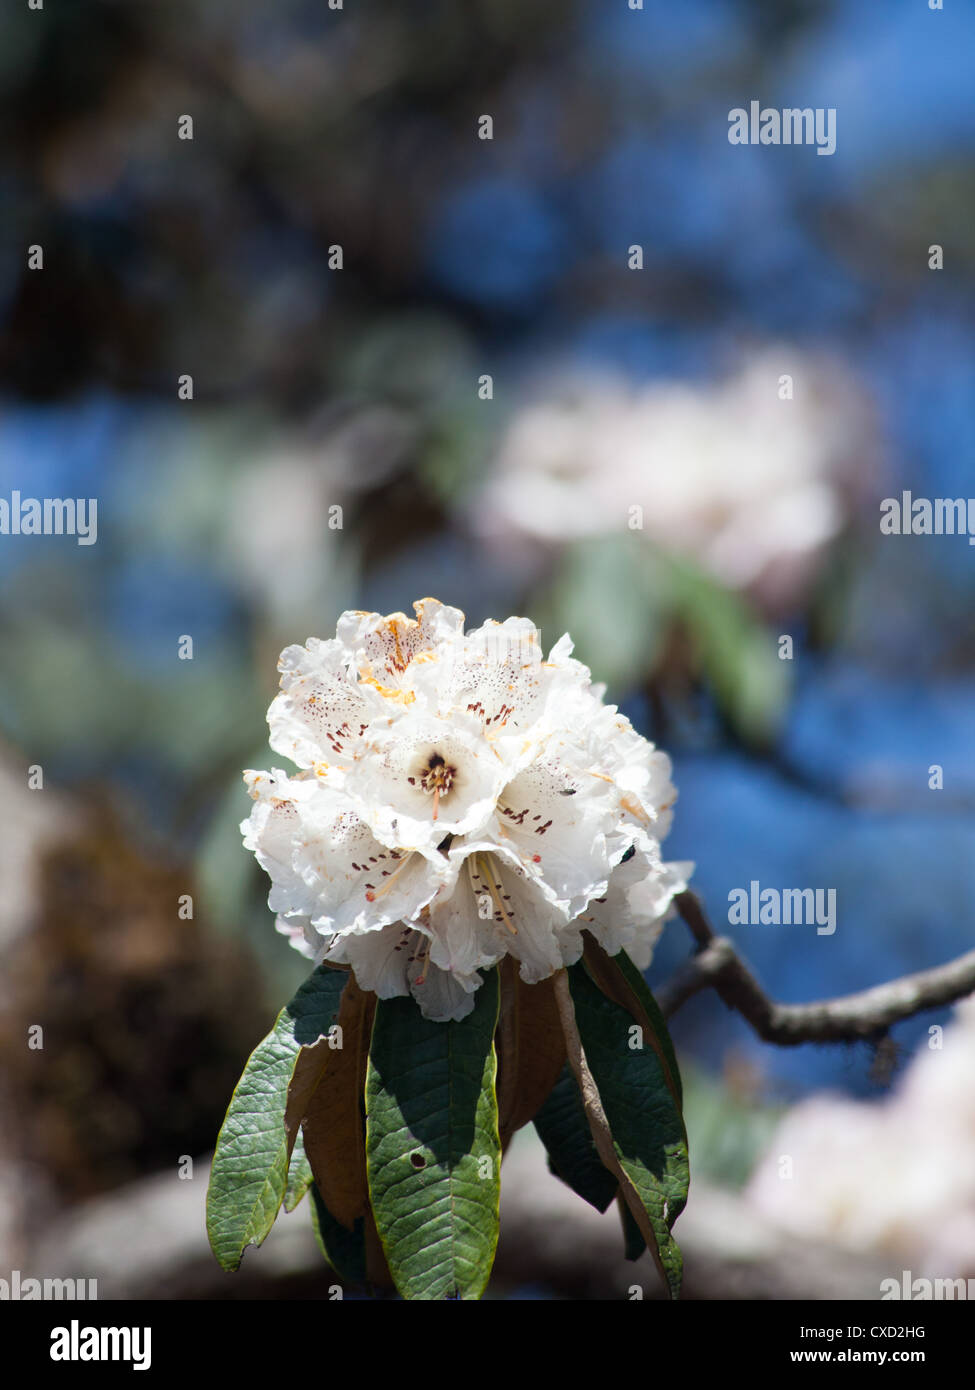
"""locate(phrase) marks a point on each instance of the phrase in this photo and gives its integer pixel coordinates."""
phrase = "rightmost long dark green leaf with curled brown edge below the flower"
(643, 1115)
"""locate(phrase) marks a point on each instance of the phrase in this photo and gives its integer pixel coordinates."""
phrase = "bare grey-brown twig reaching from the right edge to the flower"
(849, 1020)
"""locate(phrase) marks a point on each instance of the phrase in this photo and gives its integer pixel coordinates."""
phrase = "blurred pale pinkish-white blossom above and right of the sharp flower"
(745, 482)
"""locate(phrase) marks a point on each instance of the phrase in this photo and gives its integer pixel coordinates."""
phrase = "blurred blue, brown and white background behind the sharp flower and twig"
(426, 363)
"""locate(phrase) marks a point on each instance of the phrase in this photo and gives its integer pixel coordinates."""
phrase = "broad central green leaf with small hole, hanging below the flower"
(433, 1150)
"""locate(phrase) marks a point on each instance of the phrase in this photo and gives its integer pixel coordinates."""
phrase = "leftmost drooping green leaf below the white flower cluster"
(250, 1174)
